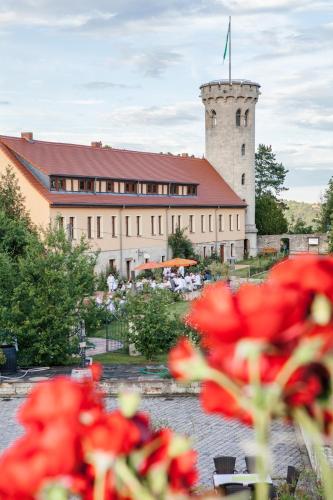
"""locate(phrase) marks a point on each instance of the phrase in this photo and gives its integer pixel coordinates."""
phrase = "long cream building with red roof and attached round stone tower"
(127, 203)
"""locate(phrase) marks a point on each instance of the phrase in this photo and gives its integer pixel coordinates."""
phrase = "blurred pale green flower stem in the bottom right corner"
(316, 437)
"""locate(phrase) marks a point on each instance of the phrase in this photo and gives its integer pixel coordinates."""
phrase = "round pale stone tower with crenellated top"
(230, 141)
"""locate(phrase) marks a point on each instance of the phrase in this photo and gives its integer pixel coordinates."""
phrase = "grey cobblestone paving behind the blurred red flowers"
(211, 435)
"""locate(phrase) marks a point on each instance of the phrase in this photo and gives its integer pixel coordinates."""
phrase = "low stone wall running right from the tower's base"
(298, 243)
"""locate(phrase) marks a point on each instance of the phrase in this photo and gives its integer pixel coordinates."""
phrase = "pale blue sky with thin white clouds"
(128, 73)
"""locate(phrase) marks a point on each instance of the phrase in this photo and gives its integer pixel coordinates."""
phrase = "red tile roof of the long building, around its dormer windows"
(75, 160)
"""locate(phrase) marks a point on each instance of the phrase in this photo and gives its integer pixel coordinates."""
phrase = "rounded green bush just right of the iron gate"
(152, 329)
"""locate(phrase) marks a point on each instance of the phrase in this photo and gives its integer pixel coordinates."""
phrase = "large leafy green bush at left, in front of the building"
(48, 300)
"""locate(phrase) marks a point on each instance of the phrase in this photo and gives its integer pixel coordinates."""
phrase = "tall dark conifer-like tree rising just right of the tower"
(269, 174)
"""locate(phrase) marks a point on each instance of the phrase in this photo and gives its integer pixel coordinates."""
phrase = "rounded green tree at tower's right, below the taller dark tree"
(269, 216)
